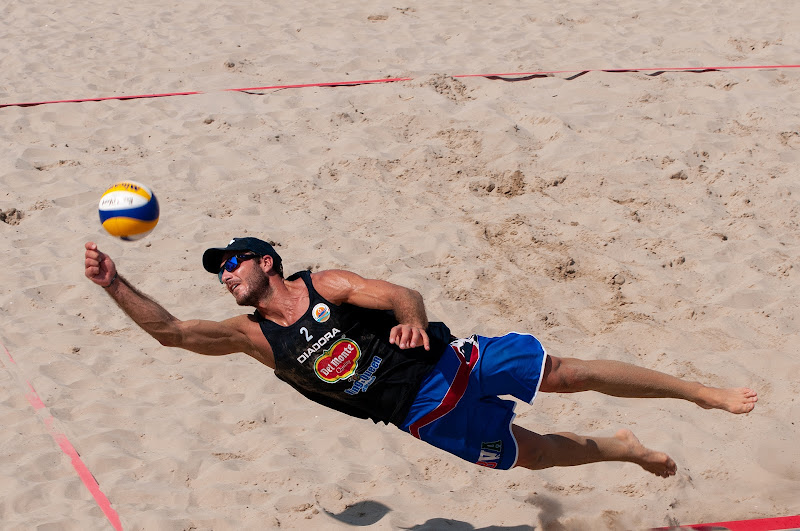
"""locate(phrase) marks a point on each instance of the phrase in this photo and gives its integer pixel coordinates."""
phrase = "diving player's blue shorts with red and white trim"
(458, 408)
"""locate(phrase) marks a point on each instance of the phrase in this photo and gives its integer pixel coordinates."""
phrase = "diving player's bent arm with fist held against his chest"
(340, 286)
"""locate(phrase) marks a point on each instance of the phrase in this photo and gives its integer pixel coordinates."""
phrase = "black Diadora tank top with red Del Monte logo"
(340, 357)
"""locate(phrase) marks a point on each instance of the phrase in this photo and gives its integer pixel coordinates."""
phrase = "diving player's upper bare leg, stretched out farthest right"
(570, 375)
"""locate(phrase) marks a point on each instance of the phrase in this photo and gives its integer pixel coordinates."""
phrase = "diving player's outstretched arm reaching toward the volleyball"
(204, 337)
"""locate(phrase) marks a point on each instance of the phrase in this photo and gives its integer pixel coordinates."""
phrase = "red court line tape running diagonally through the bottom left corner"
(66, 447)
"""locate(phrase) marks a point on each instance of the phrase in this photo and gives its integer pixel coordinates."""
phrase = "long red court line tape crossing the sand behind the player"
(542, 73)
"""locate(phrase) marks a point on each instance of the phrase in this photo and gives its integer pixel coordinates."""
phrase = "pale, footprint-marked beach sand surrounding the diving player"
(650, 219)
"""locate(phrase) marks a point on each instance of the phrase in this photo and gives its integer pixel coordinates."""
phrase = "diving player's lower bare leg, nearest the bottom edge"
(567, 449)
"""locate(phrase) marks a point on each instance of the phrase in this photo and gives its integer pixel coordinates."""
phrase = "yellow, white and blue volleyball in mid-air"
(129, 210)
